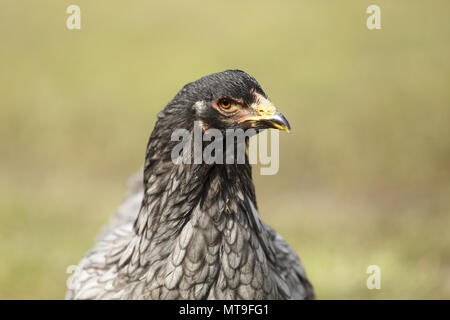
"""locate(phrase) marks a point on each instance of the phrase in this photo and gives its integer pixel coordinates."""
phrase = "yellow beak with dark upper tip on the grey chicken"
(267, 117)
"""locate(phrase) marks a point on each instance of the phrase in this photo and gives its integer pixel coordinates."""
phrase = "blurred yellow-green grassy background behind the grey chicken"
(364, 175)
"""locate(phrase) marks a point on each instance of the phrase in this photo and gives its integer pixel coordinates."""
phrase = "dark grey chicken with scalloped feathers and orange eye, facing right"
(191, 229)
